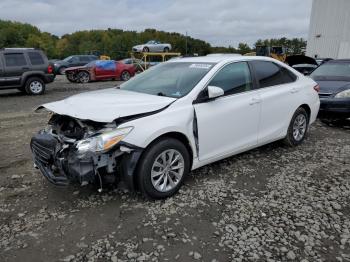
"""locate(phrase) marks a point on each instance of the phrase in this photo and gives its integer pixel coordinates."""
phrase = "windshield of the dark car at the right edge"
(332, 70)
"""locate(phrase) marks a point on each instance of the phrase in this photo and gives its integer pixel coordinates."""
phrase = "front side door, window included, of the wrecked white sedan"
(229, 123)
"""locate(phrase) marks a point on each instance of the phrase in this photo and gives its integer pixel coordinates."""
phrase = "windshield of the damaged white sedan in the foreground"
(172, 79)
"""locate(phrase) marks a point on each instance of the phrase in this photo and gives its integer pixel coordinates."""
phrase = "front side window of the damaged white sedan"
(233, 78)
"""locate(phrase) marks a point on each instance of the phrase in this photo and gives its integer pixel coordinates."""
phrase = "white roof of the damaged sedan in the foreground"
(221, 58)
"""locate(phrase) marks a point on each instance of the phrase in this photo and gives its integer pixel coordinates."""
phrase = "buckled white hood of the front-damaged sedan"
(108, 104)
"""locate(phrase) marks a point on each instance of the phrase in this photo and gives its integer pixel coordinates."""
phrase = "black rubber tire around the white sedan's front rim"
(149, 157)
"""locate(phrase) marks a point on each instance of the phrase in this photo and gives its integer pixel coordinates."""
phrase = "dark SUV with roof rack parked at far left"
(26, 69)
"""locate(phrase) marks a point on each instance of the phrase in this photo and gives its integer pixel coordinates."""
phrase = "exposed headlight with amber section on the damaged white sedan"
(104, 141)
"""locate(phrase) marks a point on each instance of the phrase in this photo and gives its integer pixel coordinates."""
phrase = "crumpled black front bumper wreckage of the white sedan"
(61, 164)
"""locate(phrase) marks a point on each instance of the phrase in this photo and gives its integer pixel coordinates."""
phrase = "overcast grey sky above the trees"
(220, 22)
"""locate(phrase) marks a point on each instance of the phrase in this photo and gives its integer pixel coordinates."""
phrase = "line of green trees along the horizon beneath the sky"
(117, 43)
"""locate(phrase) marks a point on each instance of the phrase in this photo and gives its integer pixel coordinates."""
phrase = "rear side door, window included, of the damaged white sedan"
(279, 92)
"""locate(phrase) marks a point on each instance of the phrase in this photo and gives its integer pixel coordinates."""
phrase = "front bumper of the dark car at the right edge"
(334, 108)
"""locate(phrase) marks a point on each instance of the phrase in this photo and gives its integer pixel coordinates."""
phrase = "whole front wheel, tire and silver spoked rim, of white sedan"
(159, 186)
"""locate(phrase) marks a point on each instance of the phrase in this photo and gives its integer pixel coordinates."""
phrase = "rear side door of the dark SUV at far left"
(15, 65)
